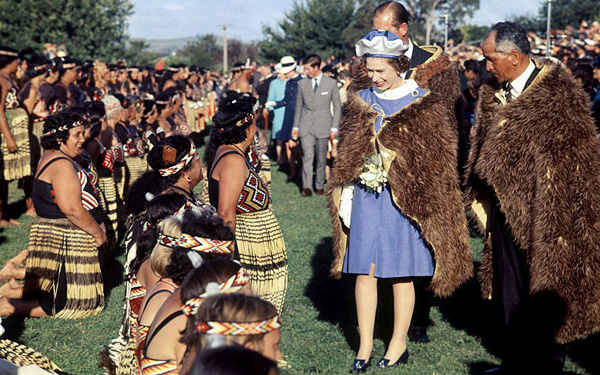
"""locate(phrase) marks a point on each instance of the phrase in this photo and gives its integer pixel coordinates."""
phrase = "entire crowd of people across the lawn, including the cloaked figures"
(107, 156)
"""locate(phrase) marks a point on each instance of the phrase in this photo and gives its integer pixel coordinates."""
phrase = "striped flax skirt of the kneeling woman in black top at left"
(57, 246)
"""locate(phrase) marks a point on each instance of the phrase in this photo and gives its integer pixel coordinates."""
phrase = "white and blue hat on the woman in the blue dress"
(381, 43)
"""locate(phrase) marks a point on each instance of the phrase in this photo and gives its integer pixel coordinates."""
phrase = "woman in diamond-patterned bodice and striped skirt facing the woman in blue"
(242, 199)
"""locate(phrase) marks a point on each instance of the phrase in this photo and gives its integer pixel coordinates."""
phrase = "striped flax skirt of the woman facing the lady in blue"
(262, 252)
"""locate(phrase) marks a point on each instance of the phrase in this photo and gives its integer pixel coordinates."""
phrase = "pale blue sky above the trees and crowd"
(166, 19)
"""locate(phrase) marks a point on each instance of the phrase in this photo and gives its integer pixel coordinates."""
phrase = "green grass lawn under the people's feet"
(319, 334)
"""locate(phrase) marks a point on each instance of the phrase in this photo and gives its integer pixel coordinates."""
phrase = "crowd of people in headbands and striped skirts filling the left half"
(107, 157)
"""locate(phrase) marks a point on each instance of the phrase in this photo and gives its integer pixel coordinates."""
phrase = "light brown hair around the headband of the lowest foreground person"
(230, 308)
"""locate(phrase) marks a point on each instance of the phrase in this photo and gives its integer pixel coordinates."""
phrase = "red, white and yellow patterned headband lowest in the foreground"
(260, 327)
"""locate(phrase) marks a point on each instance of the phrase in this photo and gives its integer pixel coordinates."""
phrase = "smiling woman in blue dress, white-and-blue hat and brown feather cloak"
(394, 194)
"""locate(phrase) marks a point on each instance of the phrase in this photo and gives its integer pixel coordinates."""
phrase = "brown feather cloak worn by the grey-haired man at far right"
(541, 155)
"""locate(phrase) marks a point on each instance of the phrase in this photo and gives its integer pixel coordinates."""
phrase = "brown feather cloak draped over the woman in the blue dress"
(419, 148)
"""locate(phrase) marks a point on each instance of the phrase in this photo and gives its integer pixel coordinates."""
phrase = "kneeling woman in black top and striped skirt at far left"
(63, 275)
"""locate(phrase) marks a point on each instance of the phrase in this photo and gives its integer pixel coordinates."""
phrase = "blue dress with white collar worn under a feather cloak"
(380, 233)
